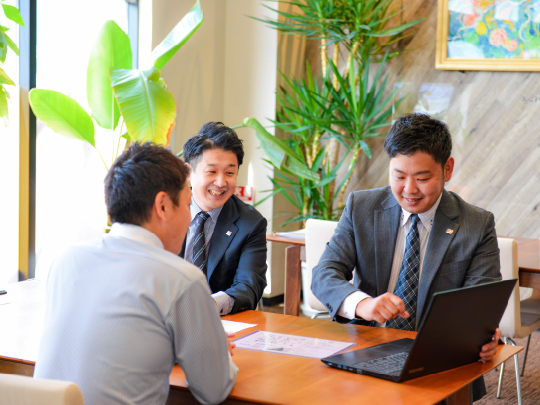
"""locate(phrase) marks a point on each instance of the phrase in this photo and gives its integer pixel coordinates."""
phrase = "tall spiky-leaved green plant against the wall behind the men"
(339, 108)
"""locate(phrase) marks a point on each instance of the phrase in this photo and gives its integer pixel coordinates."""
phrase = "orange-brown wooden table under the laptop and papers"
(272, 378)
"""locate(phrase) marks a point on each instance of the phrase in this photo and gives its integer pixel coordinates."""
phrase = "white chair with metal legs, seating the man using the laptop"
(518, 320)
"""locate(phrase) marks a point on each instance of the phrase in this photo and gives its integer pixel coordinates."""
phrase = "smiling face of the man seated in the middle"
(213, 179)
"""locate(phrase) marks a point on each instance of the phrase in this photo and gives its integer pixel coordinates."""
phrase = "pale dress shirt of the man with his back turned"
(121, 311)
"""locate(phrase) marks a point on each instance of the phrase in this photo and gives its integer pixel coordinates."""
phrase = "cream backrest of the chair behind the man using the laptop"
(511, 320)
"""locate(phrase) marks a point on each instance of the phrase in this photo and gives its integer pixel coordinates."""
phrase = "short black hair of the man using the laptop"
(419, 132)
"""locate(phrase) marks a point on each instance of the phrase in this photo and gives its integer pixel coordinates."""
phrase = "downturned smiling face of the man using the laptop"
(418, 180)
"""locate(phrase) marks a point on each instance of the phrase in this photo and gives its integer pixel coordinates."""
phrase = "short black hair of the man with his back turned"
(137, 176)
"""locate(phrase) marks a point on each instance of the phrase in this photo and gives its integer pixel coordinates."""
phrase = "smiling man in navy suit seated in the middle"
(226, 238)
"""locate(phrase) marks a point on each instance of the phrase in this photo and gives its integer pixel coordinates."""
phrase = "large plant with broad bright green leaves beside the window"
(114, 90)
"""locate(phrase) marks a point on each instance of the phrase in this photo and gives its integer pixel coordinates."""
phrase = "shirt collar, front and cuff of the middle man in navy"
(223, 300)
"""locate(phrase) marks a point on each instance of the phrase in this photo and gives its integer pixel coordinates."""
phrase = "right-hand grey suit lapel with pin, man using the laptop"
(439, 241)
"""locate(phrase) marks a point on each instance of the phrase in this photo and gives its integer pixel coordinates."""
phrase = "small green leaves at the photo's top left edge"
(6, 43)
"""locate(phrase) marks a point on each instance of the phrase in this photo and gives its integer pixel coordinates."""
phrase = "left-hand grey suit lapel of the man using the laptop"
(386, 221)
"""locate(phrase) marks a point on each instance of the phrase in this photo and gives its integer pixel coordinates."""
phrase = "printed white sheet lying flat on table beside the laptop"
(291, 344)
